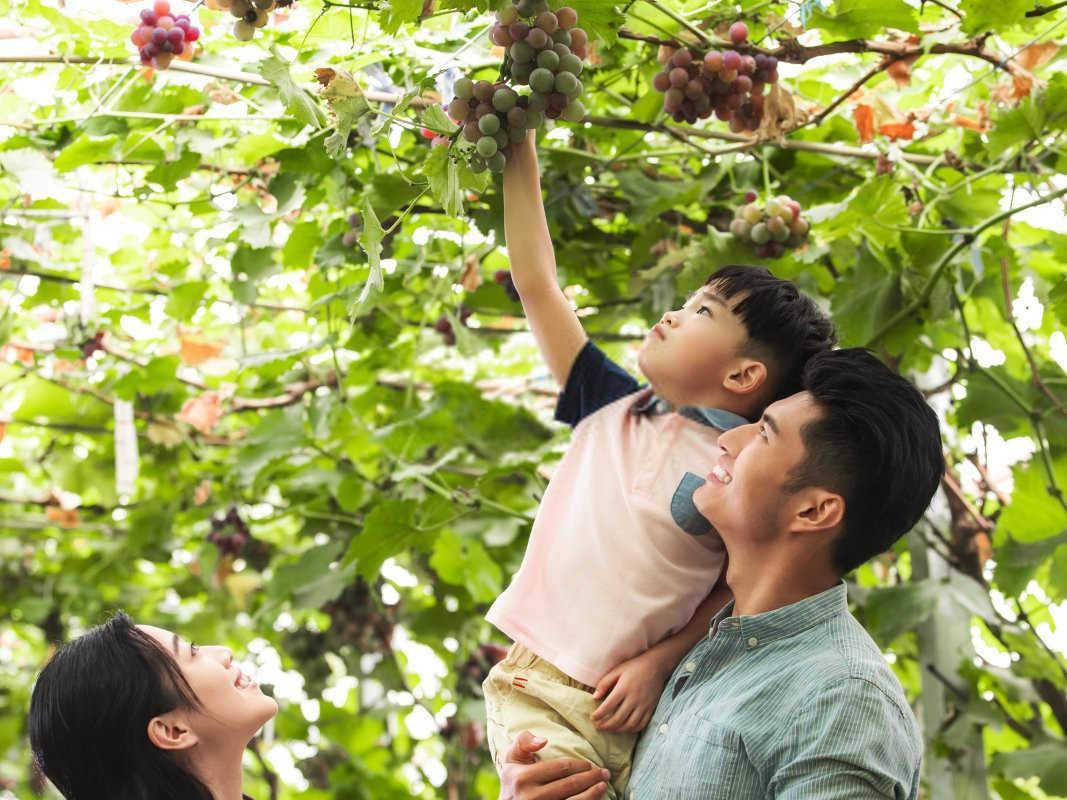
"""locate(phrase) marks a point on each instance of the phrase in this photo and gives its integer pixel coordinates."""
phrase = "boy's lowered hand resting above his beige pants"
(630, 694)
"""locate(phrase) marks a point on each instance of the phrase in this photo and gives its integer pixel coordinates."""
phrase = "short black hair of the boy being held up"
(785, 327)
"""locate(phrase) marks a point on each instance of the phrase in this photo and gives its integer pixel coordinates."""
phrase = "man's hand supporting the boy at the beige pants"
(524, 778)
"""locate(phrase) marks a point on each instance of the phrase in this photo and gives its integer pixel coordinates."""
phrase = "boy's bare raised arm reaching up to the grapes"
(556, 328)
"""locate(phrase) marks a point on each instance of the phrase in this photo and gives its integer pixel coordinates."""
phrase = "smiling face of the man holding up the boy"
(743, 497)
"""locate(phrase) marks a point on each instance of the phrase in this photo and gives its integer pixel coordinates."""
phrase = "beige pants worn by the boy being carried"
(524, 693)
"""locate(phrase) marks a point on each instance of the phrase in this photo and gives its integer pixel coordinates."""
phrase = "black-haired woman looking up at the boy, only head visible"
(135, 713)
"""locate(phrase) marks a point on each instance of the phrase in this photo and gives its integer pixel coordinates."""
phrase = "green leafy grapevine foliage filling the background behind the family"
(389, 482)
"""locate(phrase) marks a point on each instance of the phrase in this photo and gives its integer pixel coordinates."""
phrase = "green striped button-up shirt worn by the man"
(794, 703)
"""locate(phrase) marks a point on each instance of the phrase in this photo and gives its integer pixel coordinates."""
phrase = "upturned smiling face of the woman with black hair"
(233, 708)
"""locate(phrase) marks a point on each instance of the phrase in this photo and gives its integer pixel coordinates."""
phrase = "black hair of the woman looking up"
(90, 713)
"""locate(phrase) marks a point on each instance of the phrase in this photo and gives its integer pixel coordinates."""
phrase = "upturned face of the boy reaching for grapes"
(689, 355)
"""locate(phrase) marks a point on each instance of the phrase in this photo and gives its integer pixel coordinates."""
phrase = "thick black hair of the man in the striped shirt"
(877, 443)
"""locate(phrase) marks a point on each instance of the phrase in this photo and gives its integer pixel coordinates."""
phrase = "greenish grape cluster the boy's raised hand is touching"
(545, 53)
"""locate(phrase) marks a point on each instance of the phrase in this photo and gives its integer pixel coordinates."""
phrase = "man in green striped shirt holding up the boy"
(788, 697)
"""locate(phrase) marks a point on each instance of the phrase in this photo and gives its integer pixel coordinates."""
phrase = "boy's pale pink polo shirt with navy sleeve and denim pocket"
(611, 569)
